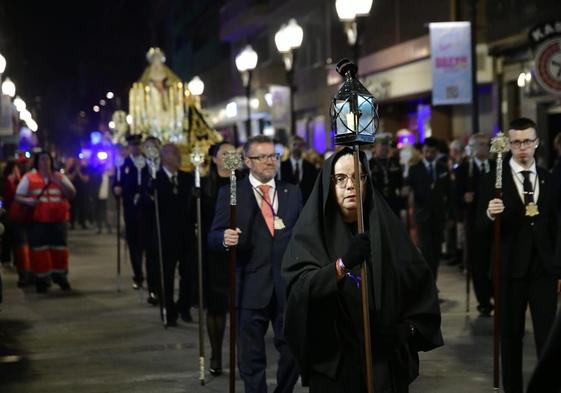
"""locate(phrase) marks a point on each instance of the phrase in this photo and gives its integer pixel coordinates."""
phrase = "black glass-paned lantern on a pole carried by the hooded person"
(354, 117)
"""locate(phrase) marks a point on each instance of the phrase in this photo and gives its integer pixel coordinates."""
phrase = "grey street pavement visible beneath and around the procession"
(97, 340)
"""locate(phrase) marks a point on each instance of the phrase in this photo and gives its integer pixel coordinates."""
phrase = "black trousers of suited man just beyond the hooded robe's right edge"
(430, 234)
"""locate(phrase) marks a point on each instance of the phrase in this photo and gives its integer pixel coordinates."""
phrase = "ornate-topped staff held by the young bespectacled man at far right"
(499, 145)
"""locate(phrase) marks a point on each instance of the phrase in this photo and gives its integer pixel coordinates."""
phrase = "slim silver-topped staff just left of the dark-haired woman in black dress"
(197, 158)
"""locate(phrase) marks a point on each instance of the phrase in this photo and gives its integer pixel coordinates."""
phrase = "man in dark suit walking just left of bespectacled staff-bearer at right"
(477, 245)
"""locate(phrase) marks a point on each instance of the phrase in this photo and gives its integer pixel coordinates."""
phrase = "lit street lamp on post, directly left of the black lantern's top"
(288, 39)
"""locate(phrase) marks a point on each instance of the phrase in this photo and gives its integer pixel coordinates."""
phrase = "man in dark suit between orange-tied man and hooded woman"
(298, 171)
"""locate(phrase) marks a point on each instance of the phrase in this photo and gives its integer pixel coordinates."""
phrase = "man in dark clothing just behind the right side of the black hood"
(387, 174)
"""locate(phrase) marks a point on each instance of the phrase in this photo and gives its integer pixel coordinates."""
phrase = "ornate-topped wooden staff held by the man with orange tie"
(232, 161)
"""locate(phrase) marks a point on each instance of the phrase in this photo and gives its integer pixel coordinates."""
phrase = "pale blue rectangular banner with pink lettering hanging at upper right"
(451, 63)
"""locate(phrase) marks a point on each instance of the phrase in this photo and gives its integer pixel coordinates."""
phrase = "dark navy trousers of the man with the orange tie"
(252, 359)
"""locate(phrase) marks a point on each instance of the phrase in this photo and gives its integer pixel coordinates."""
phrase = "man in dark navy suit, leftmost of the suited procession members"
(130, 184)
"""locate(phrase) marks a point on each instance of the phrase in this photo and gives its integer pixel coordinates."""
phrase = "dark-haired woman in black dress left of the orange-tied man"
(216, 264)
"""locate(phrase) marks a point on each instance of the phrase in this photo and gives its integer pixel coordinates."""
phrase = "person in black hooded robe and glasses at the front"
(323, 322)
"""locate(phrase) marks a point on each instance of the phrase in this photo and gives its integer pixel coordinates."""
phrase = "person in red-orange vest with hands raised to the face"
(47, 192)
